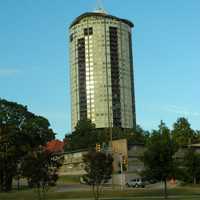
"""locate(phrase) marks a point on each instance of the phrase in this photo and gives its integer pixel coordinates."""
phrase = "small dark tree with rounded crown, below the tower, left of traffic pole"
(98, 167)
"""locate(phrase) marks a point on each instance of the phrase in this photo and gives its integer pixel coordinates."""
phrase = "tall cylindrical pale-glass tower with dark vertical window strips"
(101, 63)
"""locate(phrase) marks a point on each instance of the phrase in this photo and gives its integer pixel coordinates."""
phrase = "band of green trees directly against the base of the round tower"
(86, 135)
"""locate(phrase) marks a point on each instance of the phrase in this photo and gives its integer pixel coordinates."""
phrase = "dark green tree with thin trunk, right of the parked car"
(159, 159)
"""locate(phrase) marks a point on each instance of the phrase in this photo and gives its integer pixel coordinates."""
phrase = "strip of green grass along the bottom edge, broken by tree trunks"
(182, 193)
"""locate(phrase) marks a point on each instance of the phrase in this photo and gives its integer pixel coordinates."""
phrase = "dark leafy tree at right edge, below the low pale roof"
(191, 164)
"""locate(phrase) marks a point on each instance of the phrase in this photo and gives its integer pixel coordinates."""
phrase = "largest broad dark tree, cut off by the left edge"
(20, 132)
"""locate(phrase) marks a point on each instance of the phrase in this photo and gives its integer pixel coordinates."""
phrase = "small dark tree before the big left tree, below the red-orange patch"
(40, 168)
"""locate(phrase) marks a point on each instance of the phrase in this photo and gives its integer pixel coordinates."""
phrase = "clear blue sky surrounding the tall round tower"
(34, 64)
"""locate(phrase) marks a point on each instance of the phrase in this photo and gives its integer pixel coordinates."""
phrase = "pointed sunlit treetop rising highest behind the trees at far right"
(182, 132)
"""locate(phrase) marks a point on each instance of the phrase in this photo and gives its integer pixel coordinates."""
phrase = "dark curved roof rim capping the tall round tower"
(101, 14)
